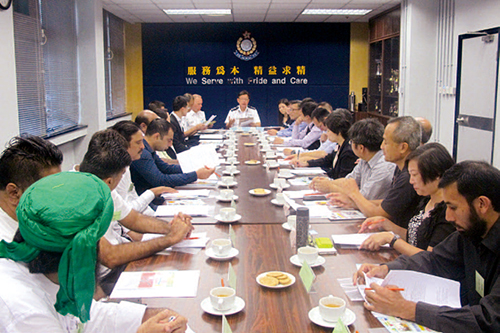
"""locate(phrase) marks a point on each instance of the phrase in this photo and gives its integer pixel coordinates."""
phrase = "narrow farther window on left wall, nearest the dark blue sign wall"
(114, 55)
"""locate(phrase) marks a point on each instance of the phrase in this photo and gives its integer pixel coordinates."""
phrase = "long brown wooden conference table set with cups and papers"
(264, 245)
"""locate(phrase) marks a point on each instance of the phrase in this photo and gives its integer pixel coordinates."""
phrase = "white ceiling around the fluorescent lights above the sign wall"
(151, 11)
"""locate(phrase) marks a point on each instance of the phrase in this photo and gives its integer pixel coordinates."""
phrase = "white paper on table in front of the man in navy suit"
(198, 157)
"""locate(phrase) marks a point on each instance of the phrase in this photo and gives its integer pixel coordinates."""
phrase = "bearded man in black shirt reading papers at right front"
(470, 256)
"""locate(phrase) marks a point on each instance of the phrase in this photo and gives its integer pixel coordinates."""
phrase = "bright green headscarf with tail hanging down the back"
(68, 213)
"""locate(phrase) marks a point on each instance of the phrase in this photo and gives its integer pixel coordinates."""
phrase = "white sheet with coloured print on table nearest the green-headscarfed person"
(157, 284)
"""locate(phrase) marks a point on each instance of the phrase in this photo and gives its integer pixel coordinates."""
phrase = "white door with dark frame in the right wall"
(476, 97)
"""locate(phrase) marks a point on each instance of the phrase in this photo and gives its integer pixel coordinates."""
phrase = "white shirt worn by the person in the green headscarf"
(27, 305)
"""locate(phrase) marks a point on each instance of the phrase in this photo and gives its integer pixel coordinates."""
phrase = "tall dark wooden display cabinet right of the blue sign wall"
(383, 83)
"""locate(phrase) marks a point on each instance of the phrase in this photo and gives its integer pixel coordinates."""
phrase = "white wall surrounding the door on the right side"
(422, 95)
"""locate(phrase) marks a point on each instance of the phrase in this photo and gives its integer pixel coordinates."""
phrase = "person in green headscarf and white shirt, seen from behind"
(48, 284)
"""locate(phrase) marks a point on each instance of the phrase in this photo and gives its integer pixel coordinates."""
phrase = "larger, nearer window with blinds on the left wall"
(46, 66)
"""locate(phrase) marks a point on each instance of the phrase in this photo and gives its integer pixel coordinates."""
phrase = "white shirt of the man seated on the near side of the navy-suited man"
(127, 191)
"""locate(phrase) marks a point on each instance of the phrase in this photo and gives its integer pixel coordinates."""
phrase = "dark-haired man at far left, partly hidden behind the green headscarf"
(23, 162)
